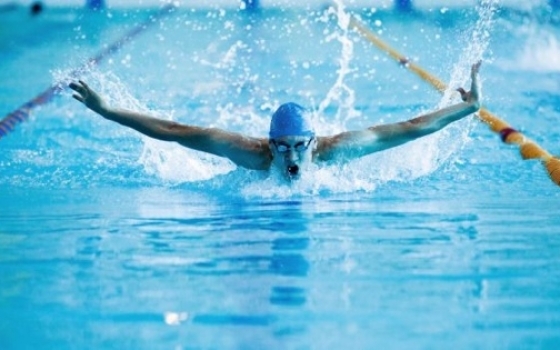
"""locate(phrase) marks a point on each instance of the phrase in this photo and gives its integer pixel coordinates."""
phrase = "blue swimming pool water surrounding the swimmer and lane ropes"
(109, 239)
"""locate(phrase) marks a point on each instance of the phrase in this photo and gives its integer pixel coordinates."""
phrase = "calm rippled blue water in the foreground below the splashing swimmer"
(179, 268)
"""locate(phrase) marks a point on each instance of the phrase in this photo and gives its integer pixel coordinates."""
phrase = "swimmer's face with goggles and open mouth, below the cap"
(292, 154)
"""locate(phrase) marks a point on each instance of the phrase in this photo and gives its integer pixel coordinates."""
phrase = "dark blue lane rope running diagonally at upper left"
(9, 122)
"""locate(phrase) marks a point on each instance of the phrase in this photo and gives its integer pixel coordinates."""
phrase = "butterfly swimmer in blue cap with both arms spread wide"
(292, 144)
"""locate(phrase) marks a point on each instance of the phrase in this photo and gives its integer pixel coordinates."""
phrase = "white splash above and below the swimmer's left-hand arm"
(166, 161)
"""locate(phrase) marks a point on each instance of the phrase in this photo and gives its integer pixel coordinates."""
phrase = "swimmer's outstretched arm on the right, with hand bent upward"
(355, 144)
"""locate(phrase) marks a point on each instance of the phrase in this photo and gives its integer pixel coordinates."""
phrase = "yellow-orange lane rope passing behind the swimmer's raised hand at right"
(527, 147)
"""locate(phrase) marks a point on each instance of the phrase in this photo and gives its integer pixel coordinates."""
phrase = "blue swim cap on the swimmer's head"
(290, 119)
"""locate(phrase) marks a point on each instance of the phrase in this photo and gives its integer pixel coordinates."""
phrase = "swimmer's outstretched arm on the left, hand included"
(248, 152)
